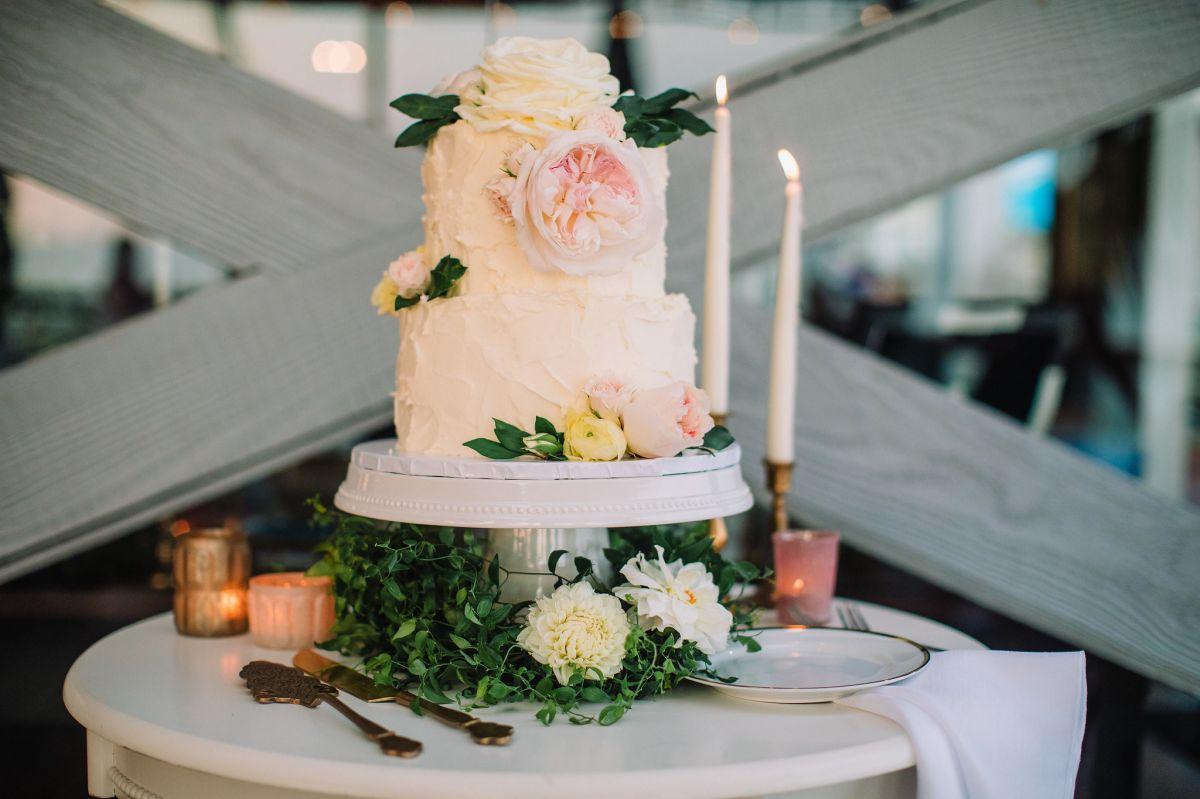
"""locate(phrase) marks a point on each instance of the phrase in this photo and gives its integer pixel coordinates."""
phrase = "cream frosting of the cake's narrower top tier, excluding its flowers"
(461, 220)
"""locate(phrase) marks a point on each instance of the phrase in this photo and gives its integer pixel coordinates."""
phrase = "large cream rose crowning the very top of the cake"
(536, 86)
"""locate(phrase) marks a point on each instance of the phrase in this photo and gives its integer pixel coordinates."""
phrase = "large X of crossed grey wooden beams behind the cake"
(233, 383)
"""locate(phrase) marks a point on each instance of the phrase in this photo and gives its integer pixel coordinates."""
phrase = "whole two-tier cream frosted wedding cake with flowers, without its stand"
(538, 296)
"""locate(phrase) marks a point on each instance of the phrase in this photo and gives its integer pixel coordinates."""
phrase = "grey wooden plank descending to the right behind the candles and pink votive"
(975, 503)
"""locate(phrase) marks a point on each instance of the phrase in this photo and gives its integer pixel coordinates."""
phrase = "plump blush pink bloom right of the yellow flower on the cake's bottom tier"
(664, 423)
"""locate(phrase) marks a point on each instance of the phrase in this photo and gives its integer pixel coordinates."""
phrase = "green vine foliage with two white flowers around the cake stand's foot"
(423, 608)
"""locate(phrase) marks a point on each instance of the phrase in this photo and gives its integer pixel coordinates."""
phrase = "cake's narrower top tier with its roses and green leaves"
(539, 178)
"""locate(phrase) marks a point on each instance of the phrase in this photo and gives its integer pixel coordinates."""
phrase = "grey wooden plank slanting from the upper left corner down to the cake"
(184, 146)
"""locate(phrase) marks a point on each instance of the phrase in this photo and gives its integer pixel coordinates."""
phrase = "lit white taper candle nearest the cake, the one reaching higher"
(716, 341)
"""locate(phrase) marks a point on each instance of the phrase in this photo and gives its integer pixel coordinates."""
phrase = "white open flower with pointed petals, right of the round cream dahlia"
(677, 597)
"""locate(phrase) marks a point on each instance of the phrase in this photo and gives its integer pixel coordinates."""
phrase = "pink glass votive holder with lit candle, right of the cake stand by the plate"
(806, 575)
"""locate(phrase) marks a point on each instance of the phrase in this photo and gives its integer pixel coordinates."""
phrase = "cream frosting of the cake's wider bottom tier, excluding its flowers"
(515, 357)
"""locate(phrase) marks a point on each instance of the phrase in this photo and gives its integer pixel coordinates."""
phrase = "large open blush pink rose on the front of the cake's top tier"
(584, 206)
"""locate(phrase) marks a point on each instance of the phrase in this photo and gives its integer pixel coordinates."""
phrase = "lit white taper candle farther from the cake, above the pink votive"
(782, 404)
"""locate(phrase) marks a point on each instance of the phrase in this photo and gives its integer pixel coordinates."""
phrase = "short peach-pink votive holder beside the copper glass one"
(290, 610)
